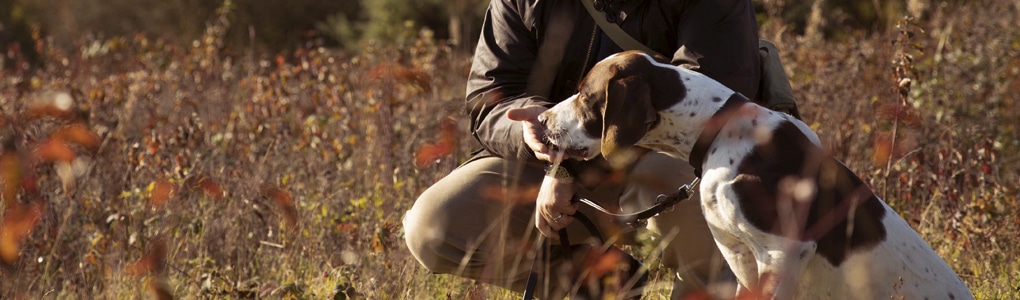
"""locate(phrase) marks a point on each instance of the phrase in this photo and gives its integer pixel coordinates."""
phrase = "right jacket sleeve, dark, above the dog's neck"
(720, 39)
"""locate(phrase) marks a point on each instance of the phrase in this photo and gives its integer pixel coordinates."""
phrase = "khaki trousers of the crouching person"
(479, 222)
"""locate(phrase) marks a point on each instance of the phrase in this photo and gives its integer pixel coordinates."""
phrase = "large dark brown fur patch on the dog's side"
(841, 201)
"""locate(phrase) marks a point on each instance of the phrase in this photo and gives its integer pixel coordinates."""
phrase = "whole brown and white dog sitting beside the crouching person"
(792, 222)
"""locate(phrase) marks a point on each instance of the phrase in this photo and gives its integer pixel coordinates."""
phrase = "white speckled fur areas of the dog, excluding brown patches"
(873, 274)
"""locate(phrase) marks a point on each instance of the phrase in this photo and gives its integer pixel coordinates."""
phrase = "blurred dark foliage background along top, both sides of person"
(282, 26)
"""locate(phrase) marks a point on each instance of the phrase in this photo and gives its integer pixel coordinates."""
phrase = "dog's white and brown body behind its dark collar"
(810, 221)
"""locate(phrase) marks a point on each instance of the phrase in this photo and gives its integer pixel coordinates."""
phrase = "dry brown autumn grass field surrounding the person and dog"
(195, 172)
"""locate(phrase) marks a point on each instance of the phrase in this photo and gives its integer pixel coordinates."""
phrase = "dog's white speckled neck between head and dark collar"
(681, 125)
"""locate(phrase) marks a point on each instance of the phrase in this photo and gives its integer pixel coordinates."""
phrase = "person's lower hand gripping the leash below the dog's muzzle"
(554, 211)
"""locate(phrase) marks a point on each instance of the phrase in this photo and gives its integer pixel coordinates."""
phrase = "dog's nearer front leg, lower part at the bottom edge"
(781, 265)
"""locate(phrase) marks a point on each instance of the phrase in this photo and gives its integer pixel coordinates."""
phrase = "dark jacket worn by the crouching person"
(719, 38)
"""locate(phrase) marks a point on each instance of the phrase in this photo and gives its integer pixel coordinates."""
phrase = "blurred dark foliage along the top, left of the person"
(267, 26)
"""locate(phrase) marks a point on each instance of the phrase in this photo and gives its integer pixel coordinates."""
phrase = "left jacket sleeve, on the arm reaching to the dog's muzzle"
(498, 79)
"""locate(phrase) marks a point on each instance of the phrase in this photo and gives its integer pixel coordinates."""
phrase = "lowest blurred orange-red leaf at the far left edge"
(18, 223)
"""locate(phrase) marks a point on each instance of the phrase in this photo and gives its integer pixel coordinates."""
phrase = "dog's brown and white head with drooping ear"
(617, 106)
